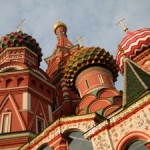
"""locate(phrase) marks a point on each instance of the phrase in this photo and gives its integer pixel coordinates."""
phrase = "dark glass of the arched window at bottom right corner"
(136, 145)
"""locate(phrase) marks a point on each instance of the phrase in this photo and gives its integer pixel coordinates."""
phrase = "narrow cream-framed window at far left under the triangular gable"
(5, 124)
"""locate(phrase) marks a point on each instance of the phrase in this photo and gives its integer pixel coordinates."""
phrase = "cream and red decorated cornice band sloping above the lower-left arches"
(62, 126)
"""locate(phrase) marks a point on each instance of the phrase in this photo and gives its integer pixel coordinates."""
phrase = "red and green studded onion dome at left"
(20, 39)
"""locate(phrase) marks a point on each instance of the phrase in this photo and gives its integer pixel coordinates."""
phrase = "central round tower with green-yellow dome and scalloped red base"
(93, 71)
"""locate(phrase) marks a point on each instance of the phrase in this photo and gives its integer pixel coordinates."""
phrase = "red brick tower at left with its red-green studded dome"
(26, 94)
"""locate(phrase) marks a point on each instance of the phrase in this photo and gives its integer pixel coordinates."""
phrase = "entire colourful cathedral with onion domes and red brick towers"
(40, 109)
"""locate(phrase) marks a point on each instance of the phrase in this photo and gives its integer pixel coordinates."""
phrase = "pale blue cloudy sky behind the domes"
(95, 19)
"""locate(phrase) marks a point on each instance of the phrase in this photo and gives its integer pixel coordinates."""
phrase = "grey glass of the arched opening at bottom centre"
(79, 142)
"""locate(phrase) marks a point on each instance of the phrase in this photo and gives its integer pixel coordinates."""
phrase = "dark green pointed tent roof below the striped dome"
(136, 82)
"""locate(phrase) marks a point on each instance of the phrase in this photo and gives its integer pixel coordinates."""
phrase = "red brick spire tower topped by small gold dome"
(65, 98)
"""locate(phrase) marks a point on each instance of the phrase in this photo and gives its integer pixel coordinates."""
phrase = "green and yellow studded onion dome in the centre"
(86, 57)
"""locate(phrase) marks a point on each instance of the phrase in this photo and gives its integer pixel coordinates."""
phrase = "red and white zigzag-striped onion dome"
(132, 45)
